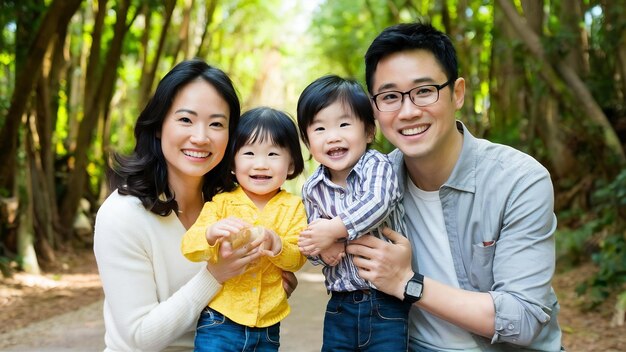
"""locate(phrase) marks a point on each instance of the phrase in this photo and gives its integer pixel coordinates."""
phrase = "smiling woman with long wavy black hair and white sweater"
(181, 135)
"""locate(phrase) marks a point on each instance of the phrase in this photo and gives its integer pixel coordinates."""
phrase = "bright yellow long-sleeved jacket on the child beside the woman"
(255, 298)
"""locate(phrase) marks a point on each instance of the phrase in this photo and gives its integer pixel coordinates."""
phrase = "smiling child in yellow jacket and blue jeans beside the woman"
(264, 152)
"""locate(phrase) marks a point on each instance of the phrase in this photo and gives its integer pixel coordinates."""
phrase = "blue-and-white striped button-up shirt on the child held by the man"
(370, 201)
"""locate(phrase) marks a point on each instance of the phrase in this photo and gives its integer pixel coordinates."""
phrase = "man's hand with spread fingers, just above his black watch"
(387, 265)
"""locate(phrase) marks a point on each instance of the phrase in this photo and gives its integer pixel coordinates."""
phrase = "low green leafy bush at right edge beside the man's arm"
(609, 228)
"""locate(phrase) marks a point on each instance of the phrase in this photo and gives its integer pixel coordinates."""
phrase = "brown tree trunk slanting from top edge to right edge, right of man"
(569, 80)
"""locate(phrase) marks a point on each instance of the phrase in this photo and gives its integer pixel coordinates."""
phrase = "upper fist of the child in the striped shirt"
(320, 235)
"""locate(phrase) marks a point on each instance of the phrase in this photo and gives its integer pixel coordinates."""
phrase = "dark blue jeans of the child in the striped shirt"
(365, 320)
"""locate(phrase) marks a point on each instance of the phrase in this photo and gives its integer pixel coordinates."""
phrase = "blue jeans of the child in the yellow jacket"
(216, 333)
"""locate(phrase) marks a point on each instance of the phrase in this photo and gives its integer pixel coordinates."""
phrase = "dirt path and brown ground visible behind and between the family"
(61, 311)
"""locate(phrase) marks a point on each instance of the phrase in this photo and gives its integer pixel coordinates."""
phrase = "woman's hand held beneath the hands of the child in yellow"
(232, 262)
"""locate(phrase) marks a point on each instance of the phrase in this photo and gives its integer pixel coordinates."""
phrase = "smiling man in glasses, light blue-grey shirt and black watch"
(479, 258)
